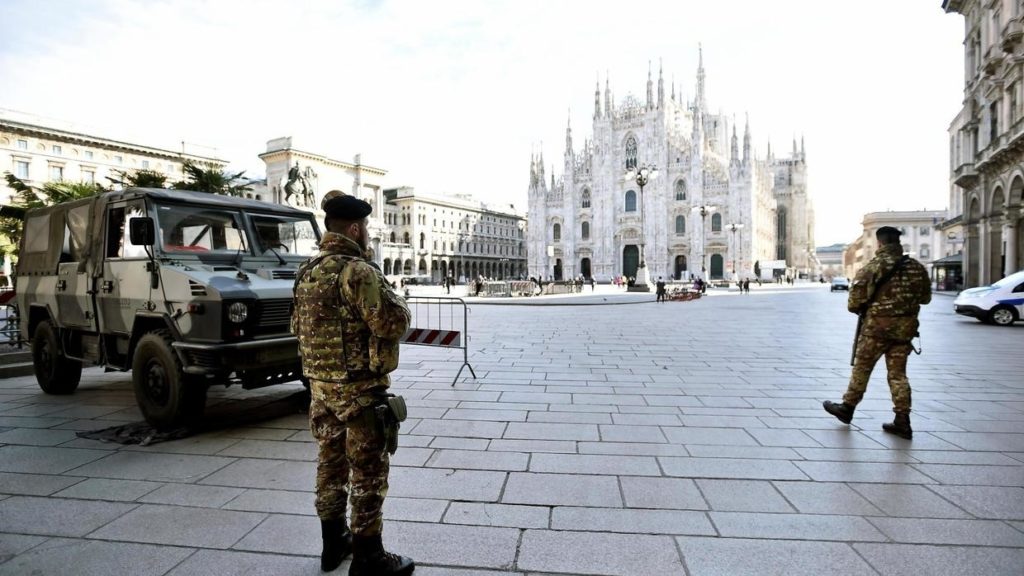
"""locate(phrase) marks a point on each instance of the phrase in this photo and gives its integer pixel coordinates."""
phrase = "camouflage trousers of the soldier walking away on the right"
(870, 350)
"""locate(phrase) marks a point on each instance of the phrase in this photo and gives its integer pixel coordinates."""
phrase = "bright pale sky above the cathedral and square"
(452, 97)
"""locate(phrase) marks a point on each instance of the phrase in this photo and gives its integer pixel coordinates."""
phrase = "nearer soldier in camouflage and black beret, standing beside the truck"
(350, 321)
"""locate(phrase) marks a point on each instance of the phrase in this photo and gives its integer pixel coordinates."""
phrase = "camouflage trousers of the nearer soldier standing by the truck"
(353, 464)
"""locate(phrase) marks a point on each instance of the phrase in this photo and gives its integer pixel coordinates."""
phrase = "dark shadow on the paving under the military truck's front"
(222, 416)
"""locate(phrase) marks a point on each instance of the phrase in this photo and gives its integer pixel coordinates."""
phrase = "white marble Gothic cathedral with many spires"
(594, 222)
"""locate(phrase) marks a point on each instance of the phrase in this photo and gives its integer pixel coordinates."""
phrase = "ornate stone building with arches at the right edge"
(987, 142)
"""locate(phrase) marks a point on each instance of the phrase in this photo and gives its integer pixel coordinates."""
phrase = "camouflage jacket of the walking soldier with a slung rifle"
(893, 314)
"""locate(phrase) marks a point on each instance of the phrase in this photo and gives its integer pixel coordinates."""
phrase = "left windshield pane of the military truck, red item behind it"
(198, 230)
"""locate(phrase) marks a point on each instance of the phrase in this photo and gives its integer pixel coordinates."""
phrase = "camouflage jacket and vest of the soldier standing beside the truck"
(348, 319)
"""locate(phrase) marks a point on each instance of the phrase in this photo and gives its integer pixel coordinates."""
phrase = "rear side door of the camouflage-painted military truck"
(74, 290)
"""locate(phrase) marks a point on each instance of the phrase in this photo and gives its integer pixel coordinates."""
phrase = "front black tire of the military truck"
(166, 397)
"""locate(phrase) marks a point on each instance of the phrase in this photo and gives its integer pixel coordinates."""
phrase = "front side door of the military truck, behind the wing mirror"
(123, 286)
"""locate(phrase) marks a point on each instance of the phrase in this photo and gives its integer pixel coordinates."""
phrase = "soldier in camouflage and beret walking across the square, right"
(889, 310)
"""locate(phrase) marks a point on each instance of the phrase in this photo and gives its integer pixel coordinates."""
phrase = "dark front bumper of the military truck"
(239, 357)
